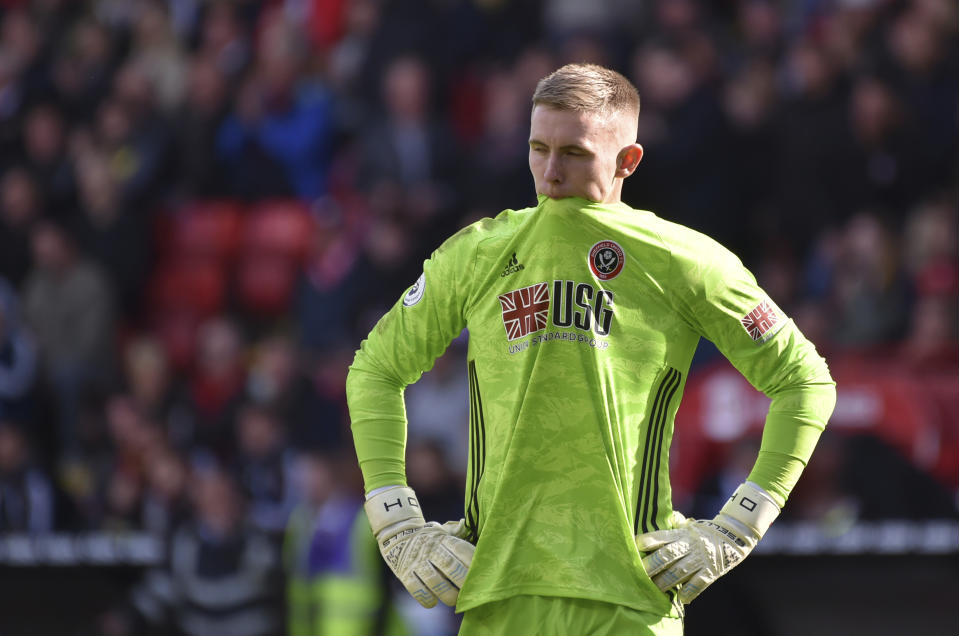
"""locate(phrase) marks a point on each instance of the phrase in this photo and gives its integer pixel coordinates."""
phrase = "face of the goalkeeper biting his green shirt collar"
(573, 154)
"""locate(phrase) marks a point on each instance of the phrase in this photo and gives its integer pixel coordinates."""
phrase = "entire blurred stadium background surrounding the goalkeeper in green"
(206, 205)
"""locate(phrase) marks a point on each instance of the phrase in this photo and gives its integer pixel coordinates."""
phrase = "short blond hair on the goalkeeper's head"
(588, 88)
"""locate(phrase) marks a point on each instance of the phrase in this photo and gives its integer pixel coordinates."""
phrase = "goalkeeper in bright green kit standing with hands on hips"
(583, 317)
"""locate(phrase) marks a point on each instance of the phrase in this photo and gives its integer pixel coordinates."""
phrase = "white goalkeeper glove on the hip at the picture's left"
(429, 559)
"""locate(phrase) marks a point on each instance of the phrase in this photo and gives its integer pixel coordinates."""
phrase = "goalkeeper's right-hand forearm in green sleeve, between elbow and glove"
(796, 419)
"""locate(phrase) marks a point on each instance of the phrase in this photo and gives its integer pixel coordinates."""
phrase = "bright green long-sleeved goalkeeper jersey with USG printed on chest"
(583, 319)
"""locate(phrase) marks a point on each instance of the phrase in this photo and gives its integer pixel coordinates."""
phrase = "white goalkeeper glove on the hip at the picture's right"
(696, 553)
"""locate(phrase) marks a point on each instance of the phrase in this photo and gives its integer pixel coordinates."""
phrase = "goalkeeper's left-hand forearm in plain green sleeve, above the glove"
(378, 422)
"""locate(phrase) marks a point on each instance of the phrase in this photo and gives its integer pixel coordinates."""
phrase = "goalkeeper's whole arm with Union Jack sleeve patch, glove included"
(729, 308)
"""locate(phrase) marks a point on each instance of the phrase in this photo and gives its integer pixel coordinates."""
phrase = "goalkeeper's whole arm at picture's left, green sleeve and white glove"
(404, 344)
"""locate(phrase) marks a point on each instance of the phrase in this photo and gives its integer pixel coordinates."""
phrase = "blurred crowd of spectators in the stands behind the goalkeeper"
(205, 205)
